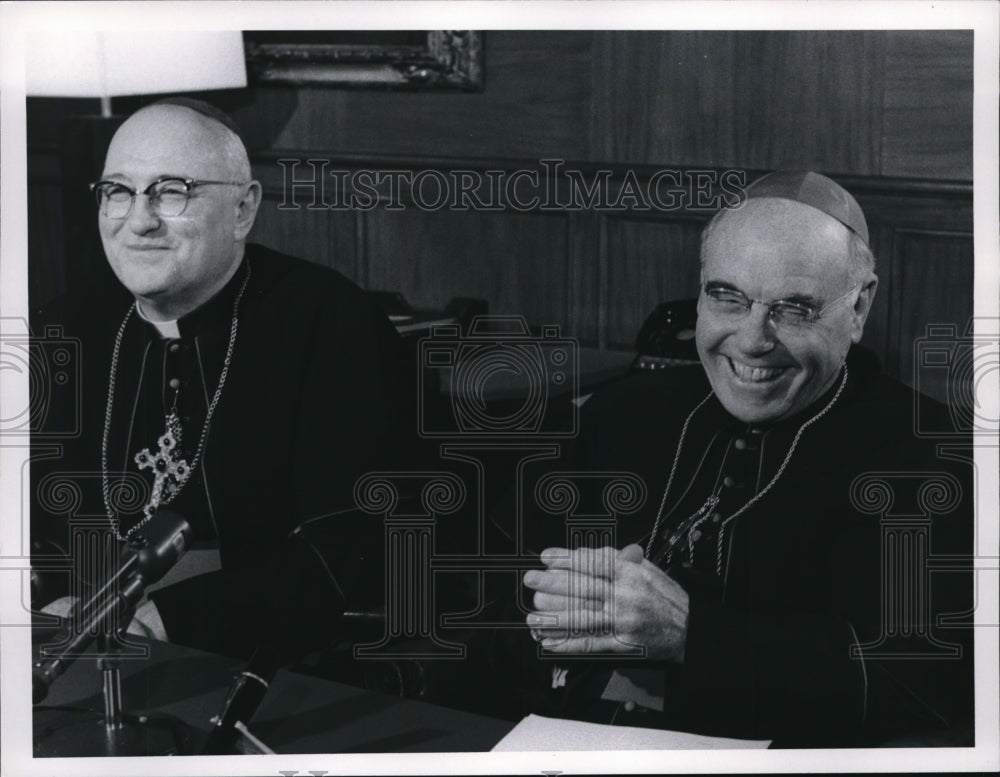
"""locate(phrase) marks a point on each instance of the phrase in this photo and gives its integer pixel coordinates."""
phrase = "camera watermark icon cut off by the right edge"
(963, 369)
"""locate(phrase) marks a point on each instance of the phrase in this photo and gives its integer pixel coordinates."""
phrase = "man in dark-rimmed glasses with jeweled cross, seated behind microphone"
(241, 388)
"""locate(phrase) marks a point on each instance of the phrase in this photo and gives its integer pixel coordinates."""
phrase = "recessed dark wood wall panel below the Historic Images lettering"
(518, 262)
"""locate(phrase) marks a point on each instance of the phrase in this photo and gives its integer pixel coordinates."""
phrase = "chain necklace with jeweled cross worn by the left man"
(170, 471)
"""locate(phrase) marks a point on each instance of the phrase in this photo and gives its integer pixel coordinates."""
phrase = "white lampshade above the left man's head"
(67, 63)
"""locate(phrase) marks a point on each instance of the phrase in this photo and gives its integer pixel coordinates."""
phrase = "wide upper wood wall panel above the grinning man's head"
(757, 100)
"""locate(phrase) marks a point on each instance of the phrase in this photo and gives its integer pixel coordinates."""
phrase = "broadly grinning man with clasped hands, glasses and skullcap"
(760, 592)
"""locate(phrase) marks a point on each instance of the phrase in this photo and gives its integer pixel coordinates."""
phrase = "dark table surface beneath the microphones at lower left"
(300, 714)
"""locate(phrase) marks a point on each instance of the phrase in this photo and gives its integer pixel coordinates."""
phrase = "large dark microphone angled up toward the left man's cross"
(145, 560)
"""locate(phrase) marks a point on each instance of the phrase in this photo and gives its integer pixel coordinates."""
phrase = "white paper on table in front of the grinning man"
(537, 733)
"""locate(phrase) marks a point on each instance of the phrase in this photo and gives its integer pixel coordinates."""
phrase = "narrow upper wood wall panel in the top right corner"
(927, 125)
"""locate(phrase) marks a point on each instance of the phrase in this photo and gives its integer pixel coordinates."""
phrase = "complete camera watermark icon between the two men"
(500, 380)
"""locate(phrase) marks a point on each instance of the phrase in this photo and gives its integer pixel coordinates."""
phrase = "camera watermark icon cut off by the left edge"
(51, 362)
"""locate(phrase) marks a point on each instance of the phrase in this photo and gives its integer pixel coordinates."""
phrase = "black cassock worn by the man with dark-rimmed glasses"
(315, 396)
